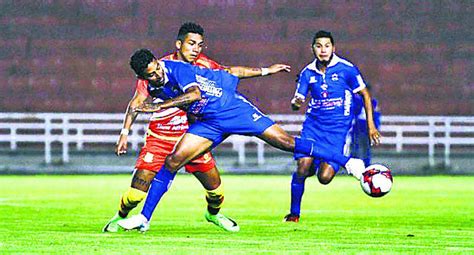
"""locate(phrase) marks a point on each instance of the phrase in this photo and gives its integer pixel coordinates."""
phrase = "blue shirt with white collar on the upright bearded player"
(331, 105)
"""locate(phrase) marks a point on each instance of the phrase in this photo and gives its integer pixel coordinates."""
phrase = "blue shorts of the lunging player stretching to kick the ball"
(242, 119)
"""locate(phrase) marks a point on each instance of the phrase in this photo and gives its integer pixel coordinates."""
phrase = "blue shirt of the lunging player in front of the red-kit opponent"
(218, 87)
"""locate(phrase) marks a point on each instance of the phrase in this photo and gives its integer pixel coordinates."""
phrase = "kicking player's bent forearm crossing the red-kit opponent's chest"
(191, 95)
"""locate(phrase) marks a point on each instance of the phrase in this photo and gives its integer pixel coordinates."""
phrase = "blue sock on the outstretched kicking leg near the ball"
(309, 147)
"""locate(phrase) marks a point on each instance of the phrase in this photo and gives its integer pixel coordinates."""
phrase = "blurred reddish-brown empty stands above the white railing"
(72, 56)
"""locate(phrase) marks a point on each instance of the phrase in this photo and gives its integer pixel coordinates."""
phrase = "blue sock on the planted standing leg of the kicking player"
(158, 188)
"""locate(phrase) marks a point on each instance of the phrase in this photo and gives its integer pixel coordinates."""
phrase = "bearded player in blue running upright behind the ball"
(332, 82)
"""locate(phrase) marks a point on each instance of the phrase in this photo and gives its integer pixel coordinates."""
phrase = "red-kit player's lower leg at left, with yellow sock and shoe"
(131, 198)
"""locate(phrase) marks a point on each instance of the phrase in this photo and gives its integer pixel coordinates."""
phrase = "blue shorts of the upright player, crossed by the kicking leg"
(332, 139)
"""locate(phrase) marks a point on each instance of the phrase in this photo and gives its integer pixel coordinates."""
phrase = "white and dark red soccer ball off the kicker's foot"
(377, 180)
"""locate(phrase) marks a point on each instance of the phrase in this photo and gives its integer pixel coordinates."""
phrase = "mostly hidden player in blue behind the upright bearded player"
(360, 145)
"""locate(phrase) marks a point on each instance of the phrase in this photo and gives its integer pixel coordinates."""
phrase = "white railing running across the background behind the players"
(95, 128)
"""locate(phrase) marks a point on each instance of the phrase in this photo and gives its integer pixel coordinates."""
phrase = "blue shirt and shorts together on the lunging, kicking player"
(222, 110)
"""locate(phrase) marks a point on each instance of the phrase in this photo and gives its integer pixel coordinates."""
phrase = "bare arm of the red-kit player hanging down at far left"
(129, 118)
